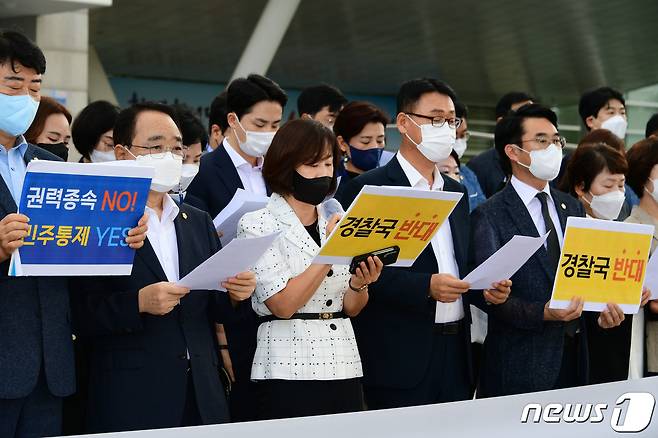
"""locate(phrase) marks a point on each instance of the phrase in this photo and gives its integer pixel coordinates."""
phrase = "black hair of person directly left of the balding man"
(93, 121)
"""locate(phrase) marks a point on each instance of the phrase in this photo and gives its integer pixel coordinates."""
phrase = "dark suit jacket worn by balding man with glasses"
(138, 362)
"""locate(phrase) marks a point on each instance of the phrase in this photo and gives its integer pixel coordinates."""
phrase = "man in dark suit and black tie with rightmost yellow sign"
(530, 347)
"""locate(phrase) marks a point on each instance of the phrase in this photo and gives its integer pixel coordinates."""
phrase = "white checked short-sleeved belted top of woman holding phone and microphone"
(298, 349)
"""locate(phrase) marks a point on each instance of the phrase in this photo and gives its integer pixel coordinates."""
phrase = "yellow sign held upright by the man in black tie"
(602, 262)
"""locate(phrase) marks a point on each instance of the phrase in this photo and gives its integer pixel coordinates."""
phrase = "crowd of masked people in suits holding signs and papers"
(291, 337)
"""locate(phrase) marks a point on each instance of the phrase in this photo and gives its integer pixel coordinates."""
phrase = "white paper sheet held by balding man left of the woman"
(239, 255)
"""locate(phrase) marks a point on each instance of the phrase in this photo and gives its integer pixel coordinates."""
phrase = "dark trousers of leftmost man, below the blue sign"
(39, 414)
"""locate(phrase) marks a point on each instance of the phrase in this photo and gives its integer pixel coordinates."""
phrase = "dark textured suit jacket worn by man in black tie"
(522, 352)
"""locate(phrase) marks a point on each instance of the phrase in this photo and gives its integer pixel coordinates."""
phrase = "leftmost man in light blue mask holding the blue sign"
(36, 348)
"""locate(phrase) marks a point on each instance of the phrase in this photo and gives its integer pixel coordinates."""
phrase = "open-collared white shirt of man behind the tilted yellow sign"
(442, 244)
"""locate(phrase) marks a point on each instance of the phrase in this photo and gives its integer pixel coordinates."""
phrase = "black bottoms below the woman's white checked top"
(303, 398)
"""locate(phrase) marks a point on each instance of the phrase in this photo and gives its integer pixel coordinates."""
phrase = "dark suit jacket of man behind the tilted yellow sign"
(394, 331)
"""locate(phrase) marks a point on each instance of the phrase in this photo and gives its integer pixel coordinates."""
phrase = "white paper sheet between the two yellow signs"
(505, 262)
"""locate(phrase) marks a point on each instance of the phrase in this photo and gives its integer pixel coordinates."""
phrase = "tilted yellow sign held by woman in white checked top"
(381, 217)
